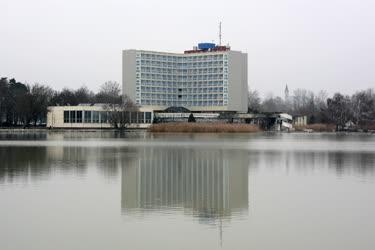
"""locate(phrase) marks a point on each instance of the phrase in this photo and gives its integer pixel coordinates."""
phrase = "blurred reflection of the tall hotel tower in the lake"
(208, 184)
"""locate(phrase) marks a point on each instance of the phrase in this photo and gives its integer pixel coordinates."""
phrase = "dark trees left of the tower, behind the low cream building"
(23, 104)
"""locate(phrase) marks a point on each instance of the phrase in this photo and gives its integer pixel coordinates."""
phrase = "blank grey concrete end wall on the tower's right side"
(237, 77)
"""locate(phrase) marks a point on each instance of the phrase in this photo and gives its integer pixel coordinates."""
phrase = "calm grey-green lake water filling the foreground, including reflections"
(107, 190)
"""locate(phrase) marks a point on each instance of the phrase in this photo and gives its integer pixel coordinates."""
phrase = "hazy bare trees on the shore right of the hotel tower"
(338, 109)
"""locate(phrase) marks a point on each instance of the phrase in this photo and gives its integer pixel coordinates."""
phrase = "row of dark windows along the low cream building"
(80, 116)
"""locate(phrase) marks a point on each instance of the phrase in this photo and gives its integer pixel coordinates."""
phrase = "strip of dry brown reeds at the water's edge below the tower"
(204, 128)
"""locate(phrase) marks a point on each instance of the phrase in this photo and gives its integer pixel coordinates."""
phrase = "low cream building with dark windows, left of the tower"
(93, 116)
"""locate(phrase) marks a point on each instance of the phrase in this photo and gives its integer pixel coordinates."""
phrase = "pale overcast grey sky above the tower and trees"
(312, 44)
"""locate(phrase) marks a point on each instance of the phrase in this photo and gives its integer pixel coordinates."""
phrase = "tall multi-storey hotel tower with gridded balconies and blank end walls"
(204, 81)
